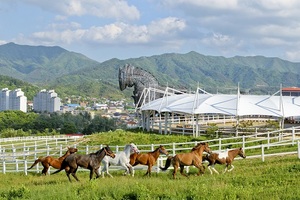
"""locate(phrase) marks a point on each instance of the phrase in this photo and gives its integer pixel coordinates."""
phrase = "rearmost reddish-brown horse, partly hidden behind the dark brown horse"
(54, 162)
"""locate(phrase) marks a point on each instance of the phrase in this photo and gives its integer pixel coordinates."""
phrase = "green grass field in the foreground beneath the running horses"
(276, 178)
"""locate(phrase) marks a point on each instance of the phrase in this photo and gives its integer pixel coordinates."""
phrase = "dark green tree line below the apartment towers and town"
(53, 123)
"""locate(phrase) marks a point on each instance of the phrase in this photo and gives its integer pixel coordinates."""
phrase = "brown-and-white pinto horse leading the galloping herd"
(226, 157)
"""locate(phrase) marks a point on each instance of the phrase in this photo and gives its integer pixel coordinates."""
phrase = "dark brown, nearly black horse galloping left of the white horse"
(90, 161)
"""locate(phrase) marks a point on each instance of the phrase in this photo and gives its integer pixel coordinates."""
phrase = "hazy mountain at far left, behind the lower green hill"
(39, 64)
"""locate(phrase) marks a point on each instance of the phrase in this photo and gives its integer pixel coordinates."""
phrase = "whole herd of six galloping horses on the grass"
(131, 156)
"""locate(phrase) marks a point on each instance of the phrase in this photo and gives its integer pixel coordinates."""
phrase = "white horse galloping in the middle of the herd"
(122, 158)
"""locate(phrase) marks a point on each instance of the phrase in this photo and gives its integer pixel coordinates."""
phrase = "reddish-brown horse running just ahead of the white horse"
(149, 158)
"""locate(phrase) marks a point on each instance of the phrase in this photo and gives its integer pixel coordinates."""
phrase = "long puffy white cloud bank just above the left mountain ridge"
(116, 33)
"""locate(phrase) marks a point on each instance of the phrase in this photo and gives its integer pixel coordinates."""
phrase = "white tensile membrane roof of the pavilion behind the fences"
(227, 104)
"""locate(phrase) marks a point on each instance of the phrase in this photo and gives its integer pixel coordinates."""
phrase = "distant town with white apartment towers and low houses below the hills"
(47, 101)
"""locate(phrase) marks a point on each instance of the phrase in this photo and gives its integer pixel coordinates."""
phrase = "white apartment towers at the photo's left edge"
(13, 100)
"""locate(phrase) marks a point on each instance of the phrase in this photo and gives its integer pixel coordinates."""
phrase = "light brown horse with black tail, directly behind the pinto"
(187, 159)
